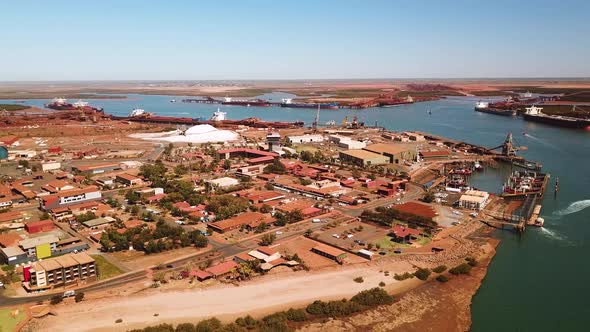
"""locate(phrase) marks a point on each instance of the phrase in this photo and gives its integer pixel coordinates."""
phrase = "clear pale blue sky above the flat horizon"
(121, 40)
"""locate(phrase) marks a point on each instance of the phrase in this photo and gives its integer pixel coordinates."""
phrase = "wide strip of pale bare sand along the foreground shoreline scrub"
(265, 294)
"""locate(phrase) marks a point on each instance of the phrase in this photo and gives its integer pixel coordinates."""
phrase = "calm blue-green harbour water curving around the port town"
(537, 282)
